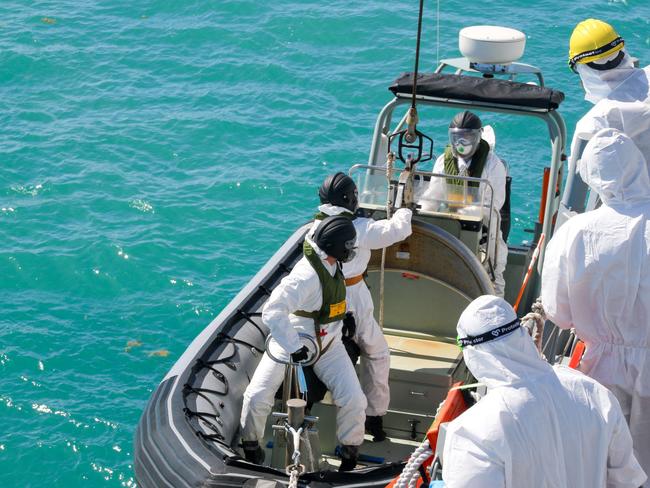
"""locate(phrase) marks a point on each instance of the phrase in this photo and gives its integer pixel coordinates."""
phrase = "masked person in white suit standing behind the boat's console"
(468, 154)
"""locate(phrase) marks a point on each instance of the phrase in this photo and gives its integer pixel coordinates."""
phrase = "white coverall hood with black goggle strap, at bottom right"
(511, 359)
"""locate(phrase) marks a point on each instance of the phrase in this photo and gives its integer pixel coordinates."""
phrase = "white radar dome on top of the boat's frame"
(491, 44)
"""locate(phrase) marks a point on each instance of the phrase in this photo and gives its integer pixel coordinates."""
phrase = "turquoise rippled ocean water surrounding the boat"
(154, 154)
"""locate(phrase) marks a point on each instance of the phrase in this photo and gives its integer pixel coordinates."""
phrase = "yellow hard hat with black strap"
(591, 40)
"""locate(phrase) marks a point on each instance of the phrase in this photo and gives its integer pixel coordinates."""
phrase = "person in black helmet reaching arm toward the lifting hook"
(338, 196)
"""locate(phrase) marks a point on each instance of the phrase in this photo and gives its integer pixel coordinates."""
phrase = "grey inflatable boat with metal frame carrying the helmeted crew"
(188, 434)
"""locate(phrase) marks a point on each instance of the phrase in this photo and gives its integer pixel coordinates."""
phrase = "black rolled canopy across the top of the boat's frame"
(477, 89)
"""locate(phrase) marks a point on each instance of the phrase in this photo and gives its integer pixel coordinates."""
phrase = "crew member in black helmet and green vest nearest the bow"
(311, 300)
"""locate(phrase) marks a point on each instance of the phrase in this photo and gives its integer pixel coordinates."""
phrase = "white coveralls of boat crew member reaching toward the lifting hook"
(375, 356)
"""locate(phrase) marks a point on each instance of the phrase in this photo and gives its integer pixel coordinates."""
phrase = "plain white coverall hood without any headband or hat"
(615, 168)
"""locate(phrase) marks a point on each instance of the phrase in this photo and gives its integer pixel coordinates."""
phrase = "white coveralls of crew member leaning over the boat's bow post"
(301, 290)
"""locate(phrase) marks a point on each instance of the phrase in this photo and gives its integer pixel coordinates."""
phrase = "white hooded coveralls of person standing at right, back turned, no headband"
(596, 278)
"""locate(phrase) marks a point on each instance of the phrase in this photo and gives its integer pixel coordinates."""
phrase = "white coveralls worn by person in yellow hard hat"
(622, 101)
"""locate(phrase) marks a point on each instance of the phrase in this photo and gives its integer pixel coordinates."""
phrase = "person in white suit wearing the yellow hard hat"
(619, 91)
